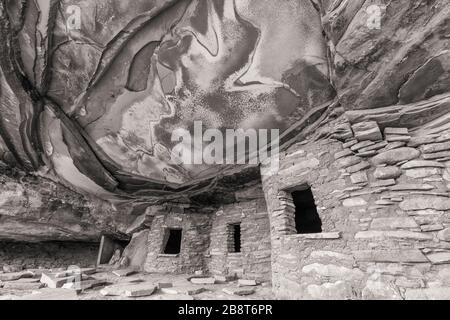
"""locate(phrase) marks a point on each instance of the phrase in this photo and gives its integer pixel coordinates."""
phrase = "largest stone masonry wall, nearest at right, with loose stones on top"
(383, 197)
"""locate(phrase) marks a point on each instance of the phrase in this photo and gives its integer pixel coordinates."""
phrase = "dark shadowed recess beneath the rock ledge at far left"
(48, 254)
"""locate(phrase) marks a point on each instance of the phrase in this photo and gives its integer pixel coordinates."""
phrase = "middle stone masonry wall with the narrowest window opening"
(254, 259)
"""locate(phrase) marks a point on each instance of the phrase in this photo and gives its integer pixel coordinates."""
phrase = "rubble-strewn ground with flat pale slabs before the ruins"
(106, 283)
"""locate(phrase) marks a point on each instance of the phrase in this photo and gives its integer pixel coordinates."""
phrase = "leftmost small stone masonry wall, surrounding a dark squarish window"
(194, 244)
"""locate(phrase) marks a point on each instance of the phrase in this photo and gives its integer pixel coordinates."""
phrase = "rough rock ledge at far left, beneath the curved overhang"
(37, 209)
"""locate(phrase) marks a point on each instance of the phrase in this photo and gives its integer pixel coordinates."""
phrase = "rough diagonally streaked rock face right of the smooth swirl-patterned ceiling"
(385, 53)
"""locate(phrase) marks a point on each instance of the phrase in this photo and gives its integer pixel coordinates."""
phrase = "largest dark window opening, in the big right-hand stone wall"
(307, 219)
